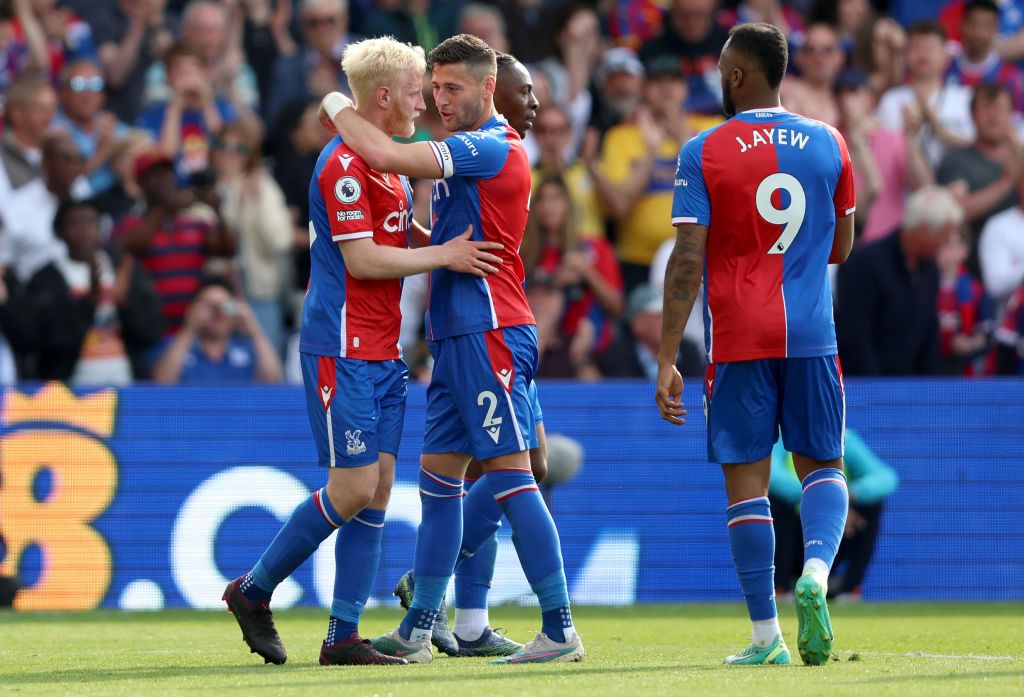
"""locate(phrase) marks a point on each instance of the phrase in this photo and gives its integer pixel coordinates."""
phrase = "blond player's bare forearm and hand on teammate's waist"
(365, 259)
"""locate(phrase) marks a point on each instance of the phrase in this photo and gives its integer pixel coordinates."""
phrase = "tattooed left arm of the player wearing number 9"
(682, 282)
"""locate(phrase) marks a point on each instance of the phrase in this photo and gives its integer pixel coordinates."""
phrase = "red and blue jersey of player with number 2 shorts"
(486, 184)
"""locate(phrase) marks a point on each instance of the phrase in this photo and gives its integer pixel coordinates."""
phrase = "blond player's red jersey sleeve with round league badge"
(347, 196)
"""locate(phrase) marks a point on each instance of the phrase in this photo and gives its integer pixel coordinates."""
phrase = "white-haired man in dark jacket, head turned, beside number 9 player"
(888, 292)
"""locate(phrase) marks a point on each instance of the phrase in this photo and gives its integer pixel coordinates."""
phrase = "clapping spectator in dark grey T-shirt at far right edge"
(987, 172)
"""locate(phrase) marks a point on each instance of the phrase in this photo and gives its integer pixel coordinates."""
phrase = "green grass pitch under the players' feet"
(903, 650)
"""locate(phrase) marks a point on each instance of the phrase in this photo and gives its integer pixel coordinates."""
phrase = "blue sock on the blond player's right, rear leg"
(358, 554)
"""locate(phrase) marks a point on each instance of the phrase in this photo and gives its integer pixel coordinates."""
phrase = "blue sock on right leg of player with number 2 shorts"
(537, 544)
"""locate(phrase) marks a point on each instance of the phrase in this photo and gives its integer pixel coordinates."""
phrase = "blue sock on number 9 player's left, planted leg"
(753, 541)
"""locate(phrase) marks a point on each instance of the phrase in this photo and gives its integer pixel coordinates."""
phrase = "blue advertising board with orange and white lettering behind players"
(155, 497)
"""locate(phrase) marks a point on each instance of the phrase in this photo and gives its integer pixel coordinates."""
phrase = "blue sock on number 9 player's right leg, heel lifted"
(823, 514)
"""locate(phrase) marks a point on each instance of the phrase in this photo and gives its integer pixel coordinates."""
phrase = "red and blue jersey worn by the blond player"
(344, 316)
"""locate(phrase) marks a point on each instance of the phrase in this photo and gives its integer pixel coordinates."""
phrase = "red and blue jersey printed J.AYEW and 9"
(770, 186)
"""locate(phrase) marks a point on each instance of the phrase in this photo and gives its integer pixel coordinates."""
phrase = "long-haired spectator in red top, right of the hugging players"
(585, 271)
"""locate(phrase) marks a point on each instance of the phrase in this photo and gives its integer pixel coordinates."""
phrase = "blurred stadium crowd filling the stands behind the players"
(156, 158)
